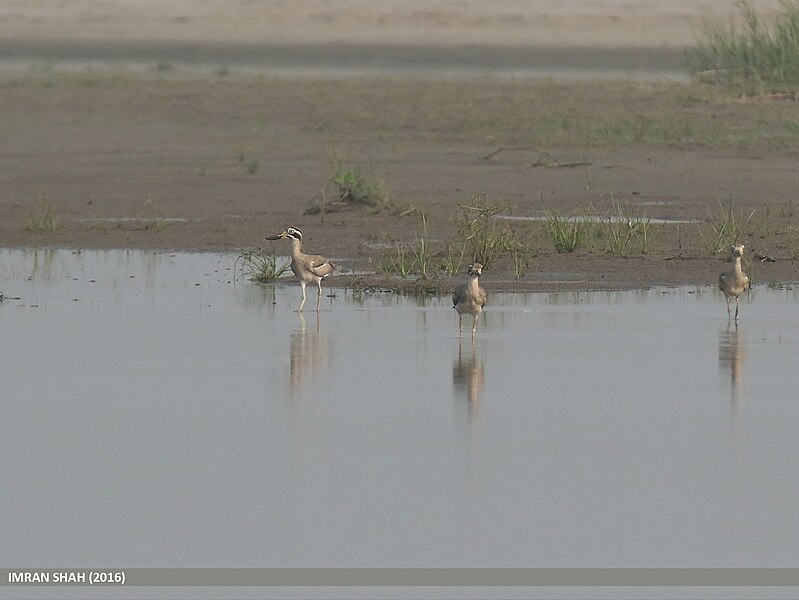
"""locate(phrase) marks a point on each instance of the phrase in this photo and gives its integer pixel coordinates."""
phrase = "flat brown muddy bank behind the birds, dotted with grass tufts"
(114, 160)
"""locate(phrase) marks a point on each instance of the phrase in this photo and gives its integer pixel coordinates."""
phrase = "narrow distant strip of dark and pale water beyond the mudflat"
(348, 60)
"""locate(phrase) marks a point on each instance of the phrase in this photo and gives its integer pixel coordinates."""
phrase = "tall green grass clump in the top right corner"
(752, 58)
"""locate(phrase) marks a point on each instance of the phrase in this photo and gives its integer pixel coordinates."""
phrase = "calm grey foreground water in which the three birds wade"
(156, 414)
